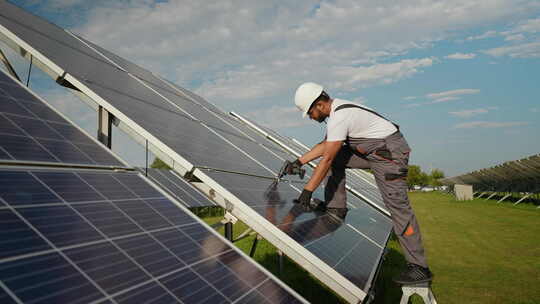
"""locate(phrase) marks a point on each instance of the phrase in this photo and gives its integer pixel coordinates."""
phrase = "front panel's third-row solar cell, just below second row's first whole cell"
(111, 269)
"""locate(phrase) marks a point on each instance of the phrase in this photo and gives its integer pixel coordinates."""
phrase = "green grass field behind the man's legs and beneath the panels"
(479, 251)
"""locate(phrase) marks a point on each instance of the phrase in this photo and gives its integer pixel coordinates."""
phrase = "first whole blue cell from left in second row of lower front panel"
(60, 225)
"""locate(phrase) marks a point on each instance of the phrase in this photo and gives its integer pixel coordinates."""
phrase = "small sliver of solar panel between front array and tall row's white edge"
(176, 186)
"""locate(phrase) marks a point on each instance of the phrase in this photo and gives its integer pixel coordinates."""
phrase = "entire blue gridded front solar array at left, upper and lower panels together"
(82, 235)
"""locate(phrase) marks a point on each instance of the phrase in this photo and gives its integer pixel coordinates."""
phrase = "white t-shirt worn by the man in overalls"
(355, 123)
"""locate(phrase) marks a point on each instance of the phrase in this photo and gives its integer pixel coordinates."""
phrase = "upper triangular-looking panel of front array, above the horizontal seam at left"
(31, 131)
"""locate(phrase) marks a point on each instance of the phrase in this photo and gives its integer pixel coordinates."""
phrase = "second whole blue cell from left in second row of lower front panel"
(107, 219)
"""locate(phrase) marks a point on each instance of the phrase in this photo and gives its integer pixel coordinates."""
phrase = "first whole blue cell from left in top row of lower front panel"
(69, 186)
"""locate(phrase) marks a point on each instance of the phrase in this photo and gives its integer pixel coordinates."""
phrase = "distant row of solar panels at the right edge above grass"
(521, 175)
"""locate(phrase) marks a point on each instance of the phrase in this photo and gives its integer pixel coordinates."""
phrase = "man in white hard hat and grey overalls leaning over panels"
(358, 137)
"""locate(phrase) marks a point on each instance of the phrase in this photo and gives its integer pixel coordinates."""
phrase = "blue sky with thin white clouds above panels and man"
(461, 78)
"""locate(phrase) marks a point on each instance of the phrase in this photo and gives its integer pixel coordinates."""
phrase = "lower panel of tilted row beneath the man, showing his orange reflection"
(352, 247)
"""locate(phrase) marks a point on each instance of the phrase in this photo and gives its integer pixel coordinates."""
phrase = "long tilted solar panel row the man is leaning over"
(235, 160)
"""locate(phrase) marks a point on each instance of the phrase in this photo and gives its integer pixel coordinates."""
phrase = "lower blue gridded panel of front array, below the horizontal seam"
(119, 241)
